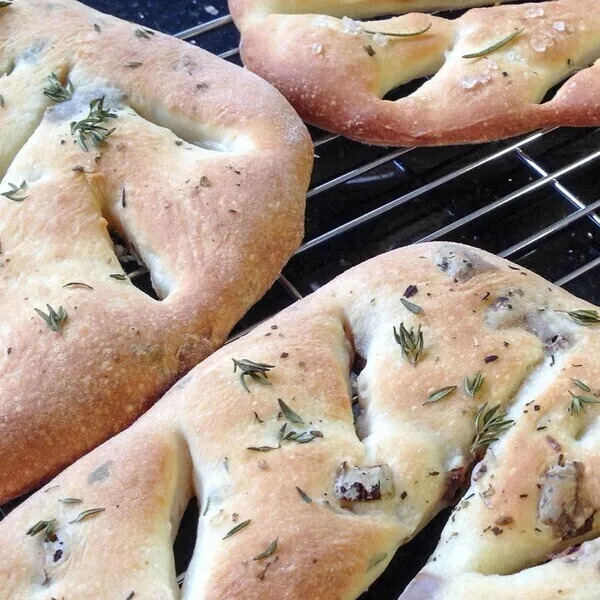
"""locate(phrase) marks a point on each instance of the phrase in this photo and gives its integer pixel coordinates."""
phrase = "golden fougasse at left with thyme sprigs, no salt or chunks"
(200, 167)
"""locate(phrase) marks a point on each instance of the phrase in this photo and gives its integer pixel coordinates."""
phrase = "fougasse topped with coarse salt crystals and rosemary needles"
(487, 73)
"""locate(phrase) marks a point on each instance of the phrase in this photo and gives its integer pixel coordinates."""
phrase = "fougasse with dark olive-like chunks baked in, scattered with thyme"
(308, 478)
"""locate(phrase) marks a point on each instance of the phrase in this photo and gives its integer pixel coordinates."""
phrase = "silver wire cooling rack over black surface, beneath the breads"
(531, 199)
